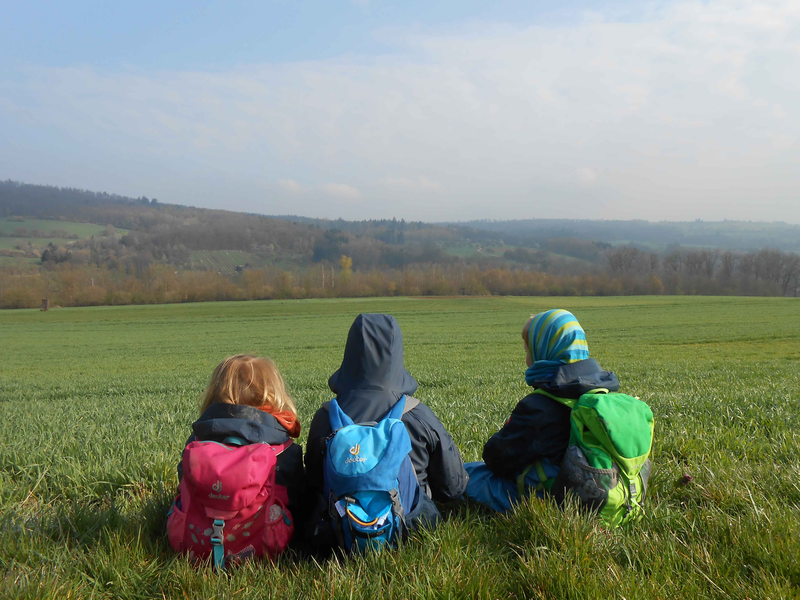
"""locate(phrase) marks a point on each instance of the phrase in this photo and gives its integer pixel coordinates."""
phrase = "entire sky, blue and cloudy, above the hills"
(434, 111)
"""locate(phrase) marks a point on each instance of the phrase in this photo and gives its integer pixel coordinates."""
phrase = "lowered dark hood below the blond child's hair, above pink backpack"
(220, 421)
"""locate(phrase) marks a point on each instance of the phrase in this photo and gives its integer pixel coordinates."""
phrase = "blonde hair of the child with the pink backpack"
(249, 380)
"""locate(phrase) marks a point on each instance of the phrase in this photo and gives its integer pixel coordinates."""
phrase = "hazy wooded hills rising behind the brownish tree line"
(188, 237)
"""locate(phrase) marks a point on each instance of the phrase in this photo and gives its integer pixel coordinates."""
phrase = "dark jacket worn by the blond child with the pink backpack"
(220, 421)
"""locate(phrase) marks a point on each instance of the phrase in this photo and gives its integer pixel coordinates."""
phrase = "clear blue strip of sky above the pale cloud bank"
(188, 35)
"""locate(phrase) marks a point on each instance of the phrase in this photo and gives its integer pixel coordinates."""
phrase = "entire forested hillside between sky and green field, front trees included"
(80, 247)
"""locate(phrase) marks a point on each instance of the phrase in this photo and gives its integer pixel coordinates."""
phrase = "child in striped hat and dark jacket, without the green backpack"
(527, 452)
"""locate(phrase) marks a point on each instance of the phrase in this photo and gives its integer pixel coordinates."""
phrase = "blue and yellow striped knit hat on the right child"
(555, 338)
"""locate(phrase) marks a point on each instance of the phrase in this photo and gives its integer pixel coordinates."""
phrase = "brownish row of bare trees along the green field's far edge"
(767, 272)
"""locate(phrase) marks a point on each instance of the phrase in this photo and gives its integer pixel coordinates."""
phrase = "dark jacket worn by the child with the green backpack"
(539, 426)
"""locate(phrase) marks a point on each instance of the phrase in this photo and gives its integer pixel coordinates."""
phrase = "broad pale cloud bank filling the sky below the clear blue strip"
(685, 109)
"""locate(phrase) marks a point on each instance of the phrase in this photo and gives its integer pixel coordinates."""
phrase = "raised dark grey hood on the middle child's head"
(372, 377)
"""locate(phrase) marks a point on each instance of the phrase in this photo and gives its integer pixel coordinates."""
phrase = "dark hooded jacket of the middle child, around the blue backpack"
(370, 381)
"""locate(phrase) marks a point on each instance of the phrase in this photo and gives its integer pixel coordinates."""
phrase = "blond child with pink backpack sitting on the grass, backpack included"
(243, 441)
